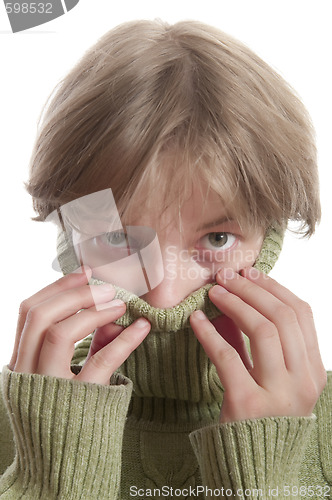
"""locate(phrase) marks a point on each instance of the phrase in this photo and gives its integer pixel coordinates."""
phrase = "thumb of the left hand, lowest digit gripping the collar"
(103, 363)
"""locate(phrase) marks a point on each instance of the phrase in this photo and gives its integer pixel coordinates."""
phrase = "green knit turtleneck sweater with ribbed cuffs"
(154, 431)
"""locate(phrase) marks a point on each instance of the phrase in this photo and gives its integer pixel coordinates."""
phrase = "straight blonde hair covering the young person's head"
(153, 108)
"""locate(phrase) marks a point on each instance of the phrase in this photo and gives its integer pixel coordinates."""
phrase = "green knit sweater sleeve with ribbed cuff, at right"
(276, 457)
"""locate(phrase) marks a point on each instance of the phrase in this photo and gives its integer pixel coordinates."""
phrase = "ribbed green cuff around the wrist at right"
(252, 455)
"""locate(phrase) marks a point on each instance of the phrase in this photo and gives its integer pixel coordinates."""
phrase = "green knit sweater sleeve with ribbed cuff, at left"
(67, 436)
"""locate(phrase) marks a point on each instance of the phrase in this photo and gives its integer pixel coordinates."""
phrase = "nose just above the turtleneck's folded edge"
(182, 276)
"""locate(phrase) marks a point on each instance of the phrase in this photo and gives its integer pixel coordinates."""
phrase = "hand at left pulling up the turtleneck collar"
(52, 320)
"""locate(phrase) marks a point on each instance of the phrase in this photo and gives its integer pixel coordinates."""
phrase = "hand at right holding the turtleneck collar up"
(286, 376)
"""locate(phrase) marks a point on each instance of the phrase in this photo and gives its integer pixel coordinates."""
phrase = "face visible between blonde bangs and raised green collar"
(189, 254)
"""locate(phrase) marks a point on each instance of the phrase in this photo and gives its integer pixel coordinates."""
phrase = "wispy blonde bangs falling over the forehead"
(169, 182)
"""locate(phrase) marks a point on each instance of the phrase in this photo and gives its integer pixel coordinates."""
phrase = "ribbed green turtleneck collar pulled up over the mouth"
(172, 377)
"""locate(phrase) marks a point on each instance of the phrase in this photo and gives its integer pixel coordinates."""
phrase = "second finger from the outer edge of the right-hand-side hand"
(281, 315)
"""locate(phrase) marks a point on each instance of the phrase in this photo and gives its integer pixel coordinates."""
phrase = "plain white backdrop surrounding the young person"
(294, 36)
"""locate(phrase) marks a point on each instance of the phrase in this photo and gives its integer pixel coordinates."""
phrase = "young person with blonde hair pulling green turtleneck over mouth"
(197, 140)
